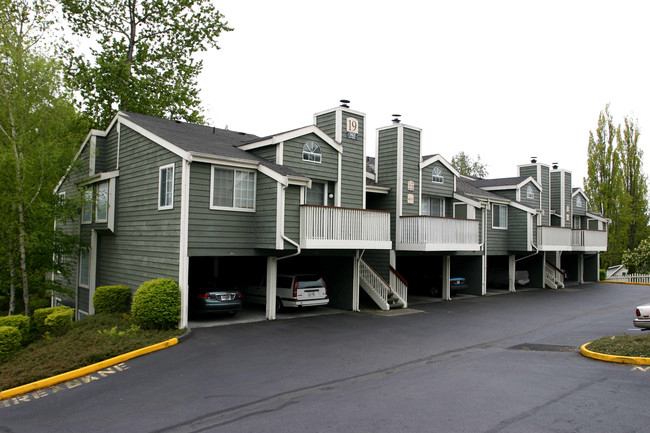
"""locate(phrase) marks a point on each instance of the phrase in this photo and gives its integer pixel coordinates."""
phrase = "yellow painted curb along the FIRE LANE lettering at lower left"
(74, 374)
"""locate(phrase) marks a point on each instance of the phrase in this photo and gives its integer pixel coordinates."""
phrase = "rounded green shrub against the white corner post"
(157, 304)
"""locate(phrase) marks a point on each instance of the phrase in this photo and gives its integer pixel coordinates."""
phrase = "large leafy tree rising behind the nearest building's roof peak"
(144, 58)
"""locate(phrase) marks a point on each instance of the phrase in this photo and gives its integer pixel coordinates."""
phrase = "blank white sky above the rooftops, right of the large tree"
(505, 80)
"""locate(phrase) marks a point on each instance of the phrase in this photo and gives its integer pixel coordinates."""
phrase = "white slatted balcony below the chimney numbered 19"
(343, 228)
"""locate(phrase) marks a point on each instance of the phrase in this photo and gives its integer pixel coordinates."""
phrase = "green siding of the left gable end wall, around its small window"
(146, 240)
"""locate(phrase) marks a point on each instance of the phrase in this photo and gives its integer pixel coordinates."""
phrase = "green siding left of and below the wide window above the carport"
(216, 232)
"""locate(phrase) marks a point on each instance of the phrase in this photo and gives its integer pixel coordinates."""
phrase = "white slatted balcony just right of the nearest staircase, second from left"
(426, 233)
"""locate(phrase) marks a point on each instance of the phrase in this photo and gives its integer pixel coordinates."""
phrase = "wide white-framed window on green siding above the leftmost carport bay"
(233, 189)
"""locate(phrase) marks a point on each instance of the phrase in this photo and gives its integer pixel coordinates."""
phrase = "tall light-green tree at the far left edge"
(39, 129)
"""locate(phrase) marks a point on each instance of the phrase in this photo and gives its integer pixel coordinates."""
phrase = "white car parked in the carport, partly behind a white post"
(297, 290)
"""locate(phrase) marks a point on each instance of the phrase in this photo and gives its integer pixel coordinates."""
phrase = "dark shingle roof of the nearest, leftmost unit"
(203, 139)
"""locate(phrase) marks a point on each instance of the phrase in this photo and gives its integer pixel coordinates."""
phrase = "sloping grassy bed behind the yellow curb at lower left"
(90, 340)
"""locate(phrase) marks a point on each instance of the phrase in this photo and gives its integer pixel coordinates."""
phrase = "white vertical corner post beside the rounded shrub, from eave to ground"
(183, 258)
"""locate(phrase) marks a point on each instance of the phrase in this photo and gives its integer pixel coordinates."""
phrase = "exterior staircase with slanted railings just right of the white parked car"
(386, 295)
